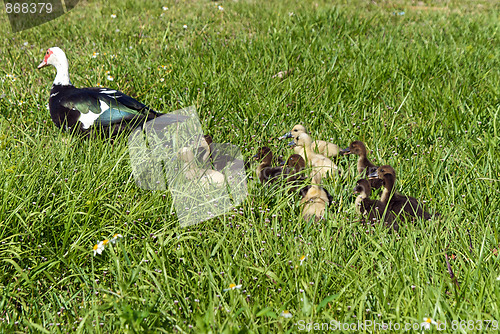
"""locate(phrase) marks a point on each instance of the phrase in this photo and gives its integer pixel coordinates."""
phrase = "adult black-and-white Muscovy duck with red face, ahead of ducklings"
(95, 107)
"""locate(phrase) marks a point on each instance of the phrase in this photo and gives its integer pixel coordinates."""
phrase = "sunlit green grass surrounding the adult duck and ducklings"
(422, 90)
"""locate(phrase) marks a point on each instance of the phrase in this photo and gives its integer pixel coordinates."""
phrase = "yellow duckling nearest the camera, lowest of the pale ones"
(315, 200)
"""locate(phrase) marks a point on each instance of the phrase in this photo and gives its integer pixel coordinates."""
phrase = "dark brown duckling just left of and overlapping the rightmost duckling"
(371, 209)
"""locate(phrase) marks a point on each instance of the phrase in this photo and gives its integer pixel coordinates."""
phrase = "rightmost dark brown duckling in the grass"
(397, 203)
